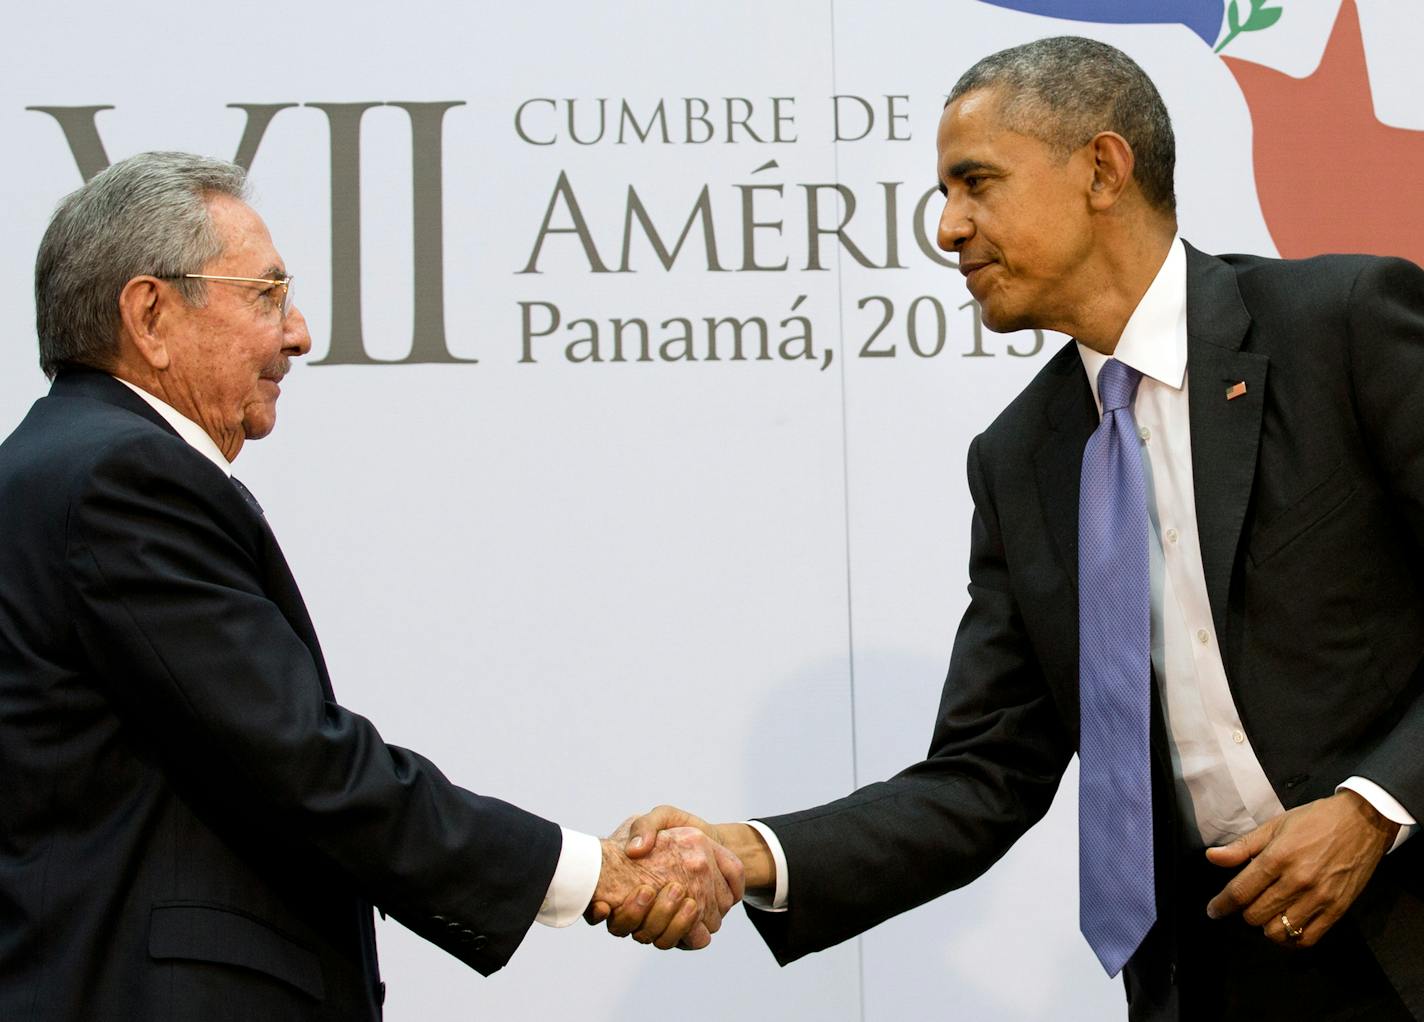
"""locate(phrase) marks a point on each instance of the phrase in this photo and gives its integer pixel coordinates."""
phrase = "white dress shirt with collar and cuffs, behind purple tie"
(1223, 791)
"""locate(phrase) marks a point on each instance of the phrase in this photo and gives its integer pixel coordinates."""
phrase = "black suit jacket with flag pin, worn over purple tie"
(1311, 509)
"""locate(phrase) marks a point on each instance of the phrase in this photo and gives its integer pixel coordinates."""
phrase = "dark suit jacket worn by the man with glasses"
(192, 828)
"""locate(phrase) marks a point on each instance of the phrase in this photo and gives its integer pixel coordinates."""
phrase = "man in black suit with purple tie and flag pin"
(1198, 563)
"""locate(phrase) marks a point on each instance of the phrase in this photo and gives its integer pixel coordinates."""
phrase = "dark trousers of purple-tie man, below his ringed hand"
(1197, 970)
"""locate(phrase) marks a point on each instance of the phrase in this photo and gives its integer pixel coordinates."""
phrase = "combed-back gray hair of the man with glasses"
(147, 214)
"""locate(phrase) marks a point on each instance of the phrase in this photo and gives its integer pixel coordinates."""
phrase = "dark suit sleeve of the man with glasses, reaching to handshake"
(166, 589)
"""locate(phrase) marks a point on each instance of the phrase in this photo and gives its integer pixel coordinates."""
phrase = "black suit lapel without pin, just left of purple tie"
(1073, 416)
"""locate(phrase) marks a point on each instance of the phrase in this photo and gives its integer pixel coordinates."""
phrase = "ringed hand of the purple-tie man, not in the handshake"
(1307, 866)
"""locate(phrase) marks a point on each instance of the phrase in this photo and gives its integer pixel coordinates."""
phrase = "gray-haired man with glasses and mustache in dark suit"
(193, 828)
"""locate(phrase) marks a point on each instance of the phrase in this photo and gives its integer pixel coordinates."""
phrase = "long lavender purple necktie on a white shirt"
(1117, 906)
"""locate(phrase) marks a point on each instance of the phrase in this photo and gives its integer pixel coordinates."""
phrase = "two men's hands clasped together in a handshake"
(669, 878)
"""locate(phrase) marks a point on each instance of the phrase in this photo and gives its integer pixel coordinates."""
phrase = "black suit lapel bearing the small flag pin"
(1225, 433)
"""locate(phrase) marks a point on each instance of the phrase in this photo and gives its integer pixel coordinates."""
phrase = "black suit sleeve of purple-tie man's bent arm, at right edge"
(1386, 322)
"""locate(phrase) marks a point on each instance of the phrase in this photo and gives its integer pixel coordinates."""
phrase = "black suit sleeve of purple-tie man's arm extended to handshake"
(996, 758)
